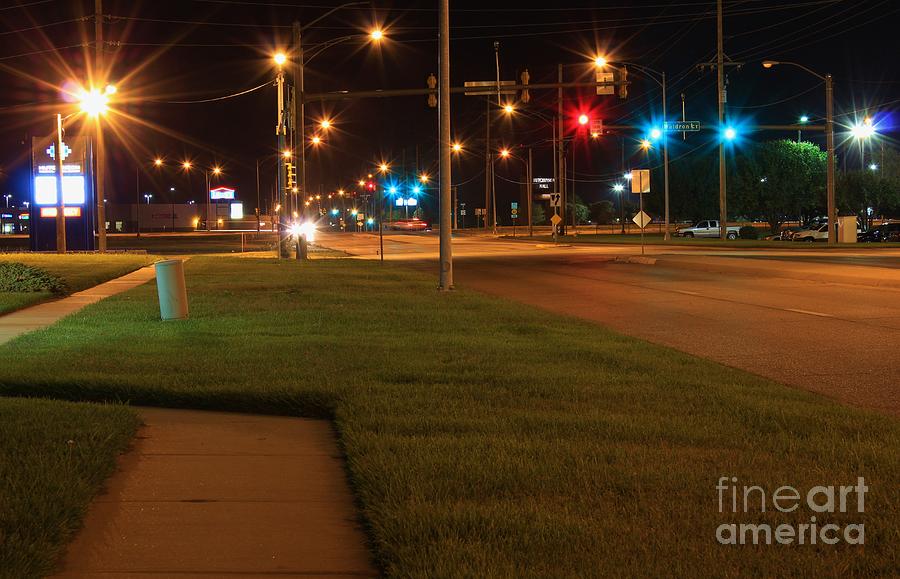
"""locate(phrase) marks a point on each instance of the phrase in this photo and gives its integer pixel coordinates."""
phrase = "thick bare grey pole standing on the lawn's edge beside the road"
(446, 254)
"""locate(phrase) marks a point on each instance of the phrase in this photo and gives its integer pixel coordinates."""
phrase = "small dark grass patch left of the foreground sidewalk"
(46, 481)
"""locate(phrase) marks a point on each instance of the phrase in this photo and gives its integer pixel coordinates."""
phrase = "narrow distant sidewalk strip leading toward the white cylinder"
(33, 318)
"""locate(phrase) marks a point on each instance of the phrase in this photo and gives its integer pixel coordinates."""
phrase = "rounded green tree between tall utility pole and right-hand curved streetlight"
(777, 180)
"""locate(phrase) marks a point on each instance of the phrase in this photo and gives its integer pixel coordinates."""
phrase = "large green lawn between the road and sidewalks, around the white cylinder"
(482, 437)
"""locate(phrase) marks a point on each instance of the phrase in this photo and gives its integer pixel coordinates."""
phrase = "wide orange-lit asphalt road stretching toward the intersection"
(823, 321)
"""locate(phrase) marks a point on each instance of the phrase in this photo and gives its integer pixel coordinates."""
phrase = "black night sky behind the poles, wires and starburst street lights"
(185, 50)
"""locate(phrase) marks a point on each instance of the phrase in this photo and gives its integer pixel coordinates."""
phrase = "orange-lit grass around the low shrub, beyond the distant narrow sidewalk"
(78, 271)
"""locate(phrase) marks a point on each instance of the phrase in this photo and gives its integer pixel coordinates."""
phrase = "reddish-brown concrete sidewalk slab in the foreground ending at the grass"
(212, 494)
